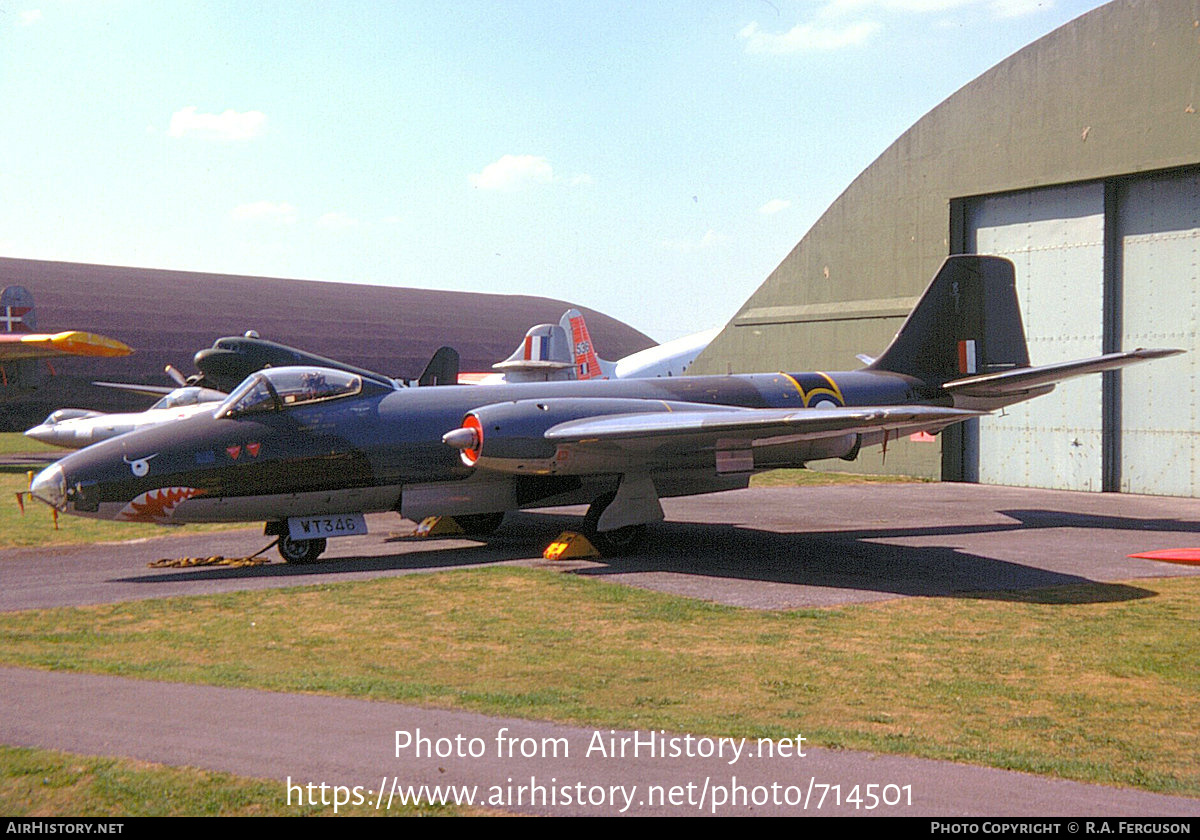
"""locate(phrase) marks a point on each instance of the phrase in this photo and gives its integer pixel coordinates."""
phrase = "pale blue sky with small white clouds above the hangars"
(653, 160)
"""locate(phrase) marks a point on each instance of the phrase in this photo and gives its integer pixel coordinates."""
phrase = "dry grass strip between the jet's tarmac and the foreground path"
(1069, 683)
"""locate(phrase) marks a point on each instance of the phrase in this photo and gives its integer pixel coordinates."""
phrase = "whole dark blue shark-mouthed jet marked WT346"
(309, 451)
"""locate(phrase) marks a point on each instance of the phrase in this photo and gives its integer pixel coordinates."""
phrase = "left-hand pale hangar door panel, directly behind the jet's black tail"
(1055, 237)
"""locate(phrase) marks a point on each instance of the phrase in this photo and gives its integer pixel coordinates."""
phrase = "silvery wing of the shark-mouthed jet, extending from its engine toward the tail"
(724, 428)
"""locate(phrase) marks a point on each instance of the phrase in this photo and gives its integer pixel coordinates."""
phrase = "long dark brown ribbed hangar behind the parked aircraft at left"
(167, 316)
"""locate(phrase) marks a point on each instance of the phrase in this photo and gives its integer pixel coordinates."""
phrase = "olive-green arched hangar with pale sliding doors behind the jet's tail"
(1079, 159)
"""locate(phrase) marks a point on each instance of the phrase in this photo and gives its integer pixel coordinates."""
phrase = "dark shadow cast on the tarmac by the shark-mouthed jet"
(857, 560)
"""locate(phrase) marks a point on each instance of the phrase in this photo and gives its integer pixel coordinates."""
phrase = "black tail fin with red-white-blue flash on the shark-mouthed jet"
(968, 322)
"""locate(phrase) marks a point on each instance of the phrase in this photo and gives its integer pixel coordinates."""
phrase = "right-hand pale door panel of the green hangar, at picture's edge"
(1160, 225)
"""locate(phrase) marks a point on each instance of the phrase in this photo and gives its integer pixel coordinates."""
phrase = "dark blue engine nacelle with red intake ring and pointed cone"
(509, 437)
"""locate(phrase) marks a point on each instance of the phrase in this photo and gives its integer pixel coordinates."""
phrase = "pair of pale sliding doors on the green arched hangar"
(1101, 267)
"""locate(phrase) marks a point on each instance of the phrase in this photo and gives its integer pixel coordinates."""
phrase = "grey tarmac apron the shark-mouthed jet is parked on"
(766, 549)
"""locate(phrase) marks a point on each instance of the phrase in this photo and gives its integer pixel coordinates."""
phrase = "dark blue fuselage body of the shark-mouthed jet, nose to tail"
(394, 437)
